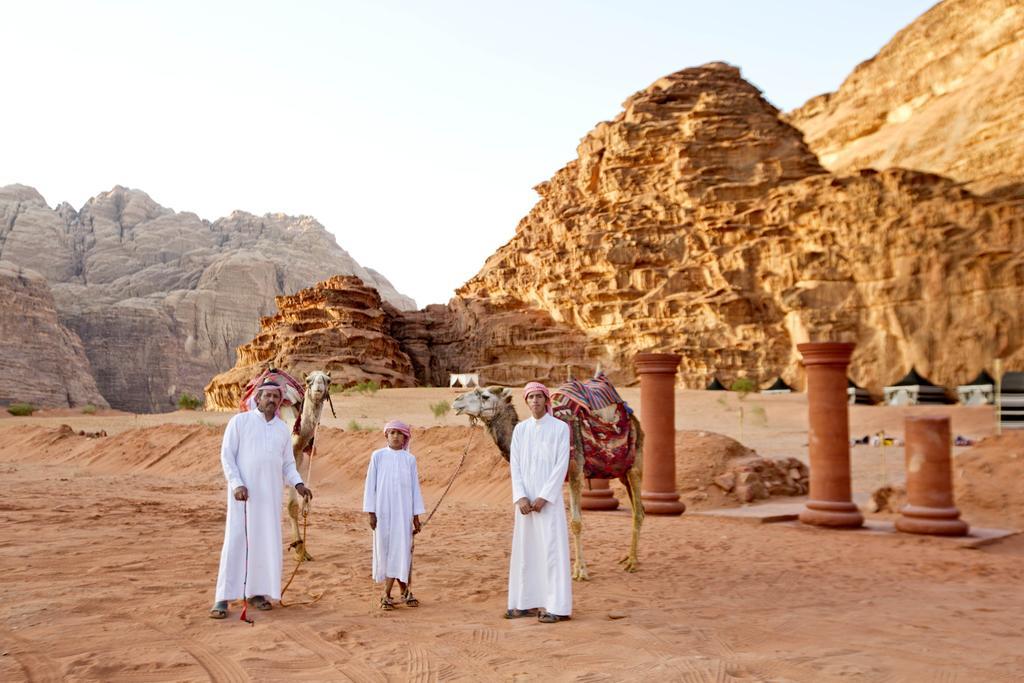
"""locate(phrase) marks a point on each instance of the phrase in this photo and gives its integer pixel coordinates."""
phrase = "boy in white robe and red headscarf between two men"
(393, 499)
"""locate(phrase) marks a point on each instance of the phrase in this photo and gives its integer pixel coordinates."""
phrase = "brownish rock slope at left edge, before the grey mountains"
(41, 361)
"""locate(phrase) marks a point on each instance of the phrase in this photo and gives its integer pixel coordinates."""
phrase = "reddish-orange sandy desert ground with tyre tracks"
(109, 550)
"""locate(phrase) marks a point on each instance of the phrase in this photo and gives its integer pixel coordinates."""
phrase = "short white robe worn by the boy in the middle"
(393, 493)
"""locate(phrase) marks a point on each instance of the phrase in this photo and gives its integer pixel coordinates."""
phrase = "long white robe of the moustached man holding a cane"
(258, 455)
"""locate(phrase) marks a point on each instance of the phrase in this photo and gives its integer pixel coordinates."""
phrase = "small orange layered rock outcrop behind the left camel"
(338, 325)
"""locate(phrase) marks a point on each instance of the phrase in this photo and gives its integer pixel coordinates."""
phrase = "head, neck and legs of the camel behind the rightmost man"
(494, 407)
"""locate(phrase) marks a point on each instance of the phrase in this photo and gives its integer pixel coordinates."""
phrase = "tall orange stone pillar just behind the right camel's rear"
(658, 419)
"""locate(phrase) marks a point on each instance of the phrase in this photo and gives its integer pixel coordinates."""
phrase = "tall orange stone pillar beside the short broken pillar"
(830, 501)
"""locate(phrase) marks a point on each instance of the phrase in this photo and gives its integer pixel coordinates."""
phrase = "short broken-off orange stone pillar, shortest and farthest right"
(930, 506)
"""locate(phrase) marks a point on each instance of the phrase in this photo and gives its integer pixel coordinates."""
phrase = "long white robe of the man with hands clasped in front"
(539, 570)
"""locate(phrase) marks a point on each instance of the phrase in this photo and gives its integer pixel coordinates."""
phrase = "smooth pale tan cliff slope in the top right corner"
(945, 96)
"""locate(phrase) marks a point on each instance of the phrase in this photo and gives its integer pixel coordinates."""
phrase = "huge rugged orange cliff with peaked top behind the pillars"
(699, 223)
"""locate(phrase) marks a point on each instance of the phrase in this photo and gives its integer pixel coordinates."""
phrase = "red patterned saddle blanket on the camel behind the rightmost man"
(604, 418)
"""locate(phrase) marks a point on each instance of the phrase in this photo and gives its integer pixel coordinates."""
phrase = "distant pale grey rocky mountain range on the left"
(162, 300)
